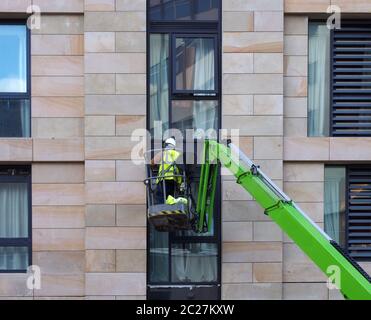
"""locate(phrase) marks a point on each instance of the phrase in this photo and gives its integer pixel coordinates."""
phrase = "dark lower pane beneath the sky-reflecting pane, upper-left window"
(15, 118)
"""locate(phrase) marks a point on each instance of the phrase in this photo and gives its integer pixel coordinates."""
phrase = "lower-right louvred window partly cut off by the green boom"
(347, 208)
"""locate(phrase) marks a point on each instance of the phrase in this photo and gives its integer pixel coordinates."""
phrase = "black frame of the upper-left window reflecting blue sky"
(21, 95)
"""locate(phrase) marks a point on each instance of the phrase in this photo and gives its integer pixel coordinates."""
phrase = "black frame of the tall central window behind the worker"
(180, 28)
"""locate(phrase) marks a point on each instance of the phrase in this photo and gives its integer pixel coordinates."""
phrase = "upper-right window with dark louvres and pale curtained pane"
(339, 79)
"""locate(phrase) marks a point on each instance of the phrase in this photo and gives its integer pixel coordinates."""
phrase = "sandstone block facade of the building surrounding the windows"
(88, 89)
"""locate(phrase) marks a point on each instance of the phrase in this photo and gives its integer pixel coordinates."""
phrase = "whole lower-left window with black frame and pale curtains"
(15, 219)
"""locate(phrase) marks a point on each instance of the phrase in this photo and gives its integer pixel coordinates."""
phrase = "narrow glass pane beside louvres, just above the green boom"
(335, 205)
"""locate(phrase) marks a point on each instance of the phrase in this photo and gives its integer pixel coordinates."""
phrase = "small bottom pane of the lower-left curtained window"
(13, 258)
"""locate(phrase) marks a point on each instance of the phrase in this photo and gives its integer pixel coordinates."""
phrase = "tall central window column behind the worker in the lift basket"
(184, 94)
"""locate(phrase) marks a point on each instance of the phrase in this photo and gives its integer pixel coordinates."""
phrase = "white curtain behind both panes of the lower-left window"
(13, 224)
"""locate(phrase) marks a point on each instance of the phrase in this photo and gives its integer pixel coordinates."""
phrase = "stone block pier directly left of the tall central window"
(115, 90)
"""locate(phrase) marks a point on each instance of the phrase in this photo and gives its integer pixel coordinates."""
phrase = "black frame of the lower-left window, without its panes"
(14, 174)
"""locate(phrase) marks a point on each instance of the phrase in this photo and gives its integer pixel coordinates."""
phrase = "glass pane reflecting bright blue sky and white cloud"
(13, 60)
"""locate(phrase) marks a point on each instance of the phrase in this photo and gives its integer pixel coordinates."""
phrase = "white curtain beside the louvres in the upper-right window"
(319, 80)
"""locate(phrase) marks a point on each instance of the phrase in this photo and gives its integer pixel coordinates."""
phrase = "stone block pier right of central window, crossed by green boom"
(253, 103)
